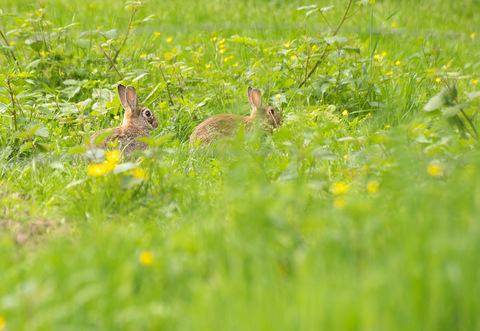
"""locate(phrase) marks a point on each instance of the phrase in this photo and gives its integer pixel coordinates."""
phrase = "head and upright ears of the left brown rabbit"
(135, 115)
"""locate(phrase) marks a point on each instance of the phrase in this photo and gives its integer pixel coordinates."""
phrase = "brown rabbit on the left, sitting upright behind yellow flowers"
(138, 121)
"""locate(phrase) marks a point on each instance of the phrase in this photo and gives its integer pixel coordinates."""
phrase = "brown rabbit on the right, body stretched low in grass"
(226, 125)
